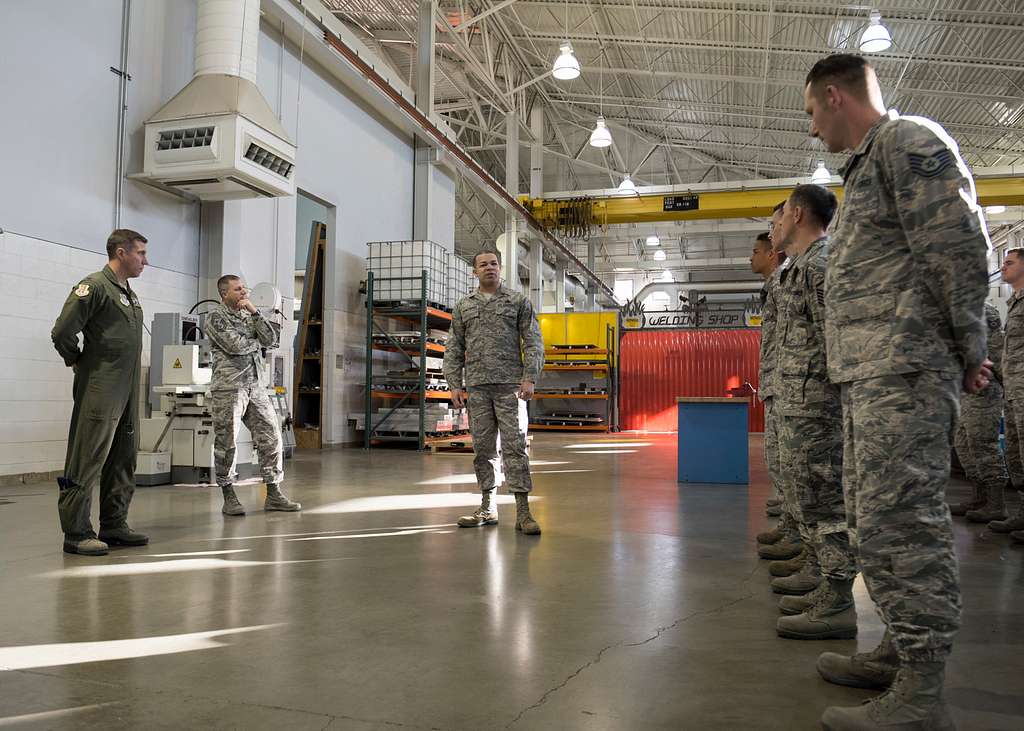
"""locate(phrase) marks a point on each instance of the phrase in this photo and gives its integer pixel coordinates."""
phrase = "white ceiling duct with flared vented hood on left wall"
(219, 140)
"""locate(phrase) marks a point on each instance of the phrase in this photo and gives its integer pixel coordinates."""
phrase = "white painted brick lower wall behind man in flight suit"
(35, 386)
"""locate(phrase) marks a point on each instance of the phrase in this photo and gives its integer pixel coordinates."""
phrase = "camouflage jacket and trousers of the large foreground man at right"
(905, 296)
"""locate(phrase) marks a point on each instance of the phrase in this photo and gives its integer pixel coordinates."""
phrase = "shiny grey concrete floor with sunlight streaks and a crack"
(643, 607)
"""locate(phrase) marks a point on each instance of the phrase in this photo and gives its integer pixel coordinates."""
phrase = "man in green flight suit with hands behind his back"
(104, 437)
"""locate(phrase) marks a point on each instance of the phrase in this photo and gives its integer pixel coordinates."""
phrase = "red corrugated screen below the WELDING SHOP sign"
(657, 366)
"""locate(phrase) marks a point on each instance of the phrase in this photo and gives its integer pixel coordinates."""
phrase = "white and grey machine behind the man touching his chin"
(177, 443)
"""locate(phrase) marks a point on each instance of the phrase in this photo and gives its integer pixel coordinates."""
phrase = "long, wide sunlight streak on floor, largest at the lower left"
(69, 654)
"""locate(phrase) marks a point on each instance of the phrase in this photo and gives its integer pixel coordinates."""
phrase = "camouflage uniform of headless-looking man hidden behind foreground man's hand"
(978, 434)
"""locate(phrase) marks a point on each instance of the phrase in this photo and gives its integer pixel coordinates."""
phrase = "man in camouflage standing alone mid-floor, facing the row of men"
(495, 351)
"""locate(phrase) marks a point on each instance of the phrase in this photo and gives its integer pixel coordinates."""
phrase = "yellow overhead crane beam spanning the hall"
(753, 203)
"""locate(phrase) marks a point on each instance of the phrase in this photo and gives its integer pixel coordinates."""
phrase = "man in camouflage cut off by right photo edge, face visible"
(1013, 382)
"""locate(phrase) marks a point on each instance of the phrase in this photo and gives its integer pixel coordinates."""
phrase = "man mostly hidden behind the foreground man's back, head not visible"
(978, 438)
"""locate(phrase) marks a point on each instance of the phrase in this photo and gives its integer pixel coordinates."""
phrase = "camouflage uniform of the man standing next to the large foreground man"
(808, 409)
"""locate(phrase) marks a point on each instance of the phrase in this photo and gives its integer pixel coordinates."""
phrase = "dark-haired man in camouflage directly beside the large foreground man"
(810, 429)
